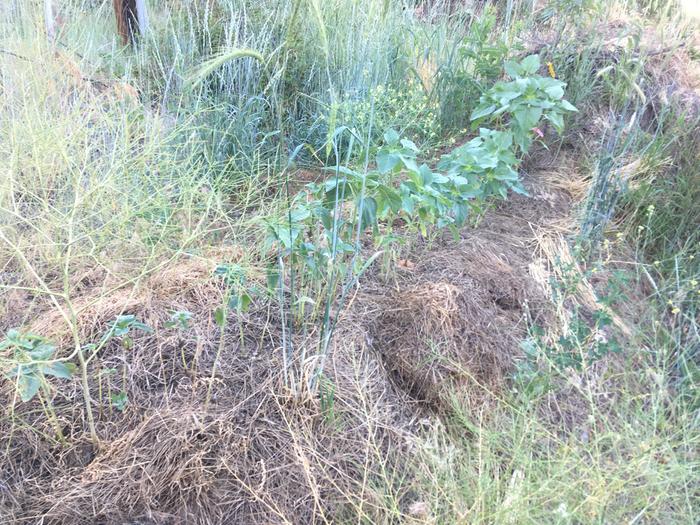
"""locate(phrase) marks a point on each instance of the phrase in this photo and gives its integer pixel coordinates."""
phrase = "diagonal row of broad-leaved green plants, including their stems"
(320, 241)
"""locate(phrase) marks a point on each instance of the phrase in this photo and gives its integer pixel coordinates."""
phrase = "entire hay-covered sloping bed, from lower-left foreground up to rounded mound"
(448, 322)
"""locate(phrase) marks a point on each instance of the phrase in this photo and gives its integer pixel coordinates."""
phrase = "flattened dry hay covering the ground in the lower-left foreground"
(250, 455)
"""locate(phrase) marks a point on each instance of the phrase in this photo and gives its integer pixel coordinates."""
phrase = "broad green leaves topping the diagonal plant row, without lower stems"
(484, 167)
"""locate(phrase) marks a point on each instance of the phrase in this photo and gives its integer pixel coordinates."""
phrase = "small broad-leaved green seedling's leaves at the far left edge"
(33, 360)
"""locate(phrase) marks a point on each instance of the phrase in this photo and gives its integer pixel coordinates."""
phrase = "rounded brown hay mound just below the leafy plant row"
(456, 321)
